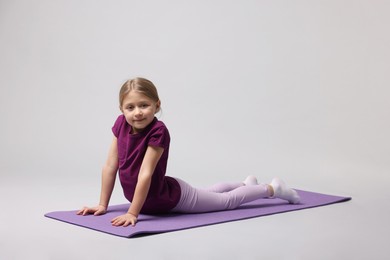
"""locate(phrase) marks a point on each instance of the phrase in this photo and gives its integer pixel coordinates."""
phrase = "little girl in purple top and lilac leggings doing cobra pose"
(140, 149)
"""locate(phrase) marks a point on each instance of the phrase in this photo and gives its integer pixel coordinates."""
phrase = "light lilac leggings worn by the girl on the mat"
(221, 196)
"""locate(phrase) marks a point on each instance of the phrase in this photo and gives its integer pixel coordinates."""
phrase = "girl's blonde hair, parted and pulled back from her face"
(141, 85)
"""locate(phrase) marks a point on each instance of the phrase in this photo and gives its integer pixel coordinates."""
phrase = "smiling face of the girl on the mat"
(139, 110)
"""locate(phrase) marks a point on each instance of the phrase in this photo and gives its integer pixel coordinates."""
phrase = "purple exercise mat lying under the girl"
(152, 224)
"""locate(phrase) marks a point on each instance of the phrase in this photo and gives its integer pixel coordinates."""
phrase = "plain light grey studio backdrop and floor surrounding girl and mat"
(295, 89)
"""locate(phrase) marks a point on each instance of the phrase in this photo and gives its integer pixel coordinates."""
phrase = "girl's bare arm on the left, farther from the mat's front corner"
(109, 171)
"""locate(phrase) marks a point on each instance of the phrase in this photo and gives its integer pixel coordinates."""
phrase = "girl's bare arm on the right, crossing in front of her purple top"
(152, 156)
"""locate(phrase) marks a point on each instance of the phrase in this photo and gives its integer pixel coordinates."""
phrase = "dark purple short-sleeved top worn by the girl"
(164, 192)
